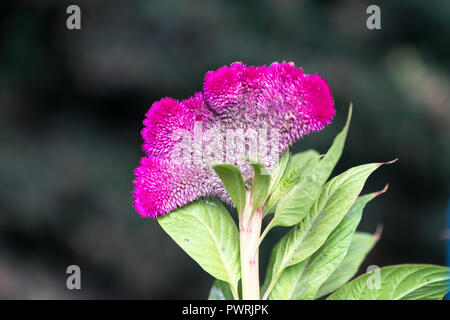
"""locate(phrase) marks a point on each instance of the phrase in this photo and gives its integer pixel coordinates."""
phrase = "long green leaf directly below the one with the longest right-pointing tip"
(303, 280)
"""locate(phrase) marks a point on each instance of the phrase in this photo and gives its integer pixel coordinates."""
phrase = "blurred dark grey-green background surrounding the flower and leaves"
(72, 105)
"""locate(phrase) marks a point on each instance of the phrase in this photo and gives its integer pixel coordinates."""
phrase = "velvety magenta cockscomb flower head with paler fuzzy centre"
(278, 98)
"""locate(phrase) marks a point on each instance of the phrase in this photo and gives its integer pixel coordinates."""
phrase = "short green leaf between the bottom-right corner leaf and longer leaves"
(361, 245)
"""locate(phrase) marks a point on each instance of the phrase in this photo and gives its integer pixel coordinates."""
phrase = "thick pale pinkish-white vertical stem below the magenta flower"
(250, 229)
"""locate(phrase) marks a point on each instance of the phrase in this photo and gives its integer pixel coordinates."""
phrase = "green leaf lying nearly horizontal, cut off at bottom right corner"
(402, 282)
